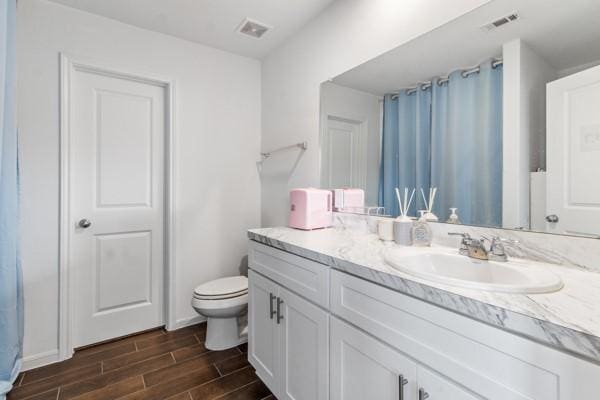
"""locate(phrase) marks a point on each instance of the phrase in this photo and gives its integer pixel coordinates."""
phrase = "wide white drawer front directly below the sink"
(448, 343)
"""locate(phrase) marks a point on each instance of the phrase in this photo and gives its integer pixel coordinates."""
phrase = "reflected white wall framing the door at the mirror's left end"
(351, 104)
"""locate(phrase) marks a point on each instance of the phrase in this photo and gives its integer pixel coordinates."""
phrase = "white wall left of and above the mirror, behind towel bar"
(346, 34)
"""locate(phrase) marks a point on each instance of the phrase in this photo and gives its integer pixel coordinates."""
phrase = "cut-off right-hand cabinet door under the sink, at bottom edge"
(433, 386)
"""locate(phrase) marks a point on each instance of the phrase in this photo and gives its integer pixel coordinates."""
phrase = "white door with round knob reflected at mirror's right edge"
(573, 150)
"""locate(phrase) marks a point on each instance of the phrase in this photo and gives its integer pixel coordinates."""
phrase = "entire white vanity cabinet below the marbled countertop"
(351, 339)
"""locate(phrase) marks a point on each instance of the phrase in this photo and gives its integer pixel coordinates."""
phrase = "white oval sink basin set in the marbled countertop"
(457, 270)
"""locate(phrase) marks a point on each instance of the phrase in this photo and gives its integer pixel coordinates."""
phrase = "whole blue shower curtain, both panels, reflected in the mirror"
(449, 137)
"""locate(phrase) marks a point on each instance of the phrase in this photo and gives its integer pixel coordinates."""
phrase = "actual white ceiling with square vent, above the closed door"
(211, 22)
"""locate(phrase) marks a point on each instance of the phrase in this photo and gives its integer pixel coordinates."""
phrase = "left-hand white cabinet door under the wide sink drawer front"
(364, 368)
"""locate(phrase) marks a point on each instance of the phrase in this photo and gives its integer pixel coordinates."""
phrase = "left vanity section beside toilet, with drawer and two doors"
(288, 340)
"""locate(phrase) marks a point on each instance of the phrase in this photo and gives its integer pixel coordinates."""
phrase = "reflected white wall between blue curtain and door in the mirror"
(525, 75)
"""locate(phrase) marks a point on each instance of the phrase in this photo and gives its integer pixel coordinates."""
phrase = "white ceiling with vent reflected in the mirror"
(565, 33)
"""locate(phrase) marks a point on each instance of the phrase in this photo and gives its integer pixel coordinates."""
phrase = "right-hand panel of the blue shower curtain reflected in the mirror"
(466, 146)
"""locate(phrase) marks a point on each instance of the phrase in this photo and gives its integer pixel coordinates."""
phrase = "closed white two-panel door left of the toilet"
(116, 204)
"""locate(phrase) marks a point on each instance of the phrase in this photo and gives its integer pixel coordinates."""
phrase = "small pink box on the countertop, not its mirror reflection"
(310, 208)
